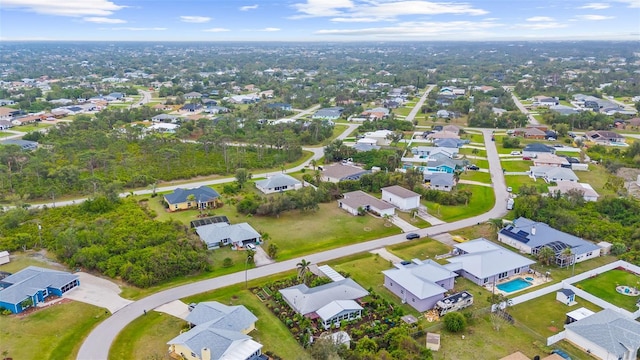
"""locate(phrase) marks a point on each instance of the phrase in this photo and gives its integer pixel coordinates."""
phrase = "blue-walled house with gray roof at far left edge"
(32, 286)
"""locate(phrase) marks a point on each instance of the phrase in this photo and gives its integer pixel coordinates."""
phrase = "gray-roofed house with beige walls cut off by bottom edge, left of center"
(219, 332)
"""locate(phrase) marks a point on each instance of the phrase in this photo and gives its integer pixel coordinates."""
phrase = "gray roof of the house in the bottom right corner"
(609, 330)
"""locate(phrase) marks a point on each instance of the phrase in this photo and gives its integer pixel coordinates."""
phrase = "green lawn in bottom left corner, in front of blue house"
(55, 332)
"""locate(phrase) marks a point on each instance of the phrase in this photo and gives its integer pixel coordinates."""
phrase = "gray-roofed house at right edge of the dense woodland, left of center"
(217, 235)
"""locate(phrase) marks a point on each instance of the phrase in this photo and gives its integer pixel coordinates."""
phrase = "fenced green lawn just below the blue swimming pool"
(529, 313)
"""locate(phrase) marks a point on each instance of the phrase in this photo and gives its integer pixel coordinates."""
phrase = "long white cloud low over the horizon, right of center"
(421, 29)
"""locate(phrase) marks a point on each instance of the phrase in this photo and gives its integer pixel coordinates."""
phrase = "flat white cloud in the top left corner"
(66, 7)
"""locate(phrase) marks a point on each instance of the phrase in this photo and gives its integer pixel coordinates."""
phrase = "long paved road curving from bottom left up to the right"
(97, 344)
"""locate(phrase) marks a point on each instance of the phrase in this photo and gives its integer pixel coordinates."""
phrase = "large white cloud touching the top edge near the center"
(342, 10)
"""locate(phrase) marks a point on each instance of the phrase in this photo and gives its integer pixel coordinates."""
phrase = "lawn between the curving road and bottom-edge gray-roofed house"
(146, 337)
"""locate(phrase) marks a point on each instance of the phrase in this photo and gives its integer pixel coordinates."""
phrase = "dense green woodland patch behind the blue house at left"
(115, 237)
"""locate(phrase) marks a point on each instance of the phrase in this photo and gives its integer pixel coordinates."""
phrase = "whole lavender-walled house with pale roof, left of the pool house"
(419, 284)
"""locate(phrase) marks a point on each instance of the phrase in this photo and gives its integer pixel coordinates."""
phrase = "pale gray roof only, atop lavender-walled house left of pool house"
(420, 279)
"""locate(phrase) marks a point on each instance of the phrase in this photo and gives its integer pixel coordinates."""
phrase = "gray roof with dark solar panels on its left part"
(522, 228)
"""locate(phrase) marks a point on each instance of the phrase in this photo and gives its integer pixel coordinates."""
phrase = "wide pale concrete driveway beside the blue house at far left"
(99, 292)
